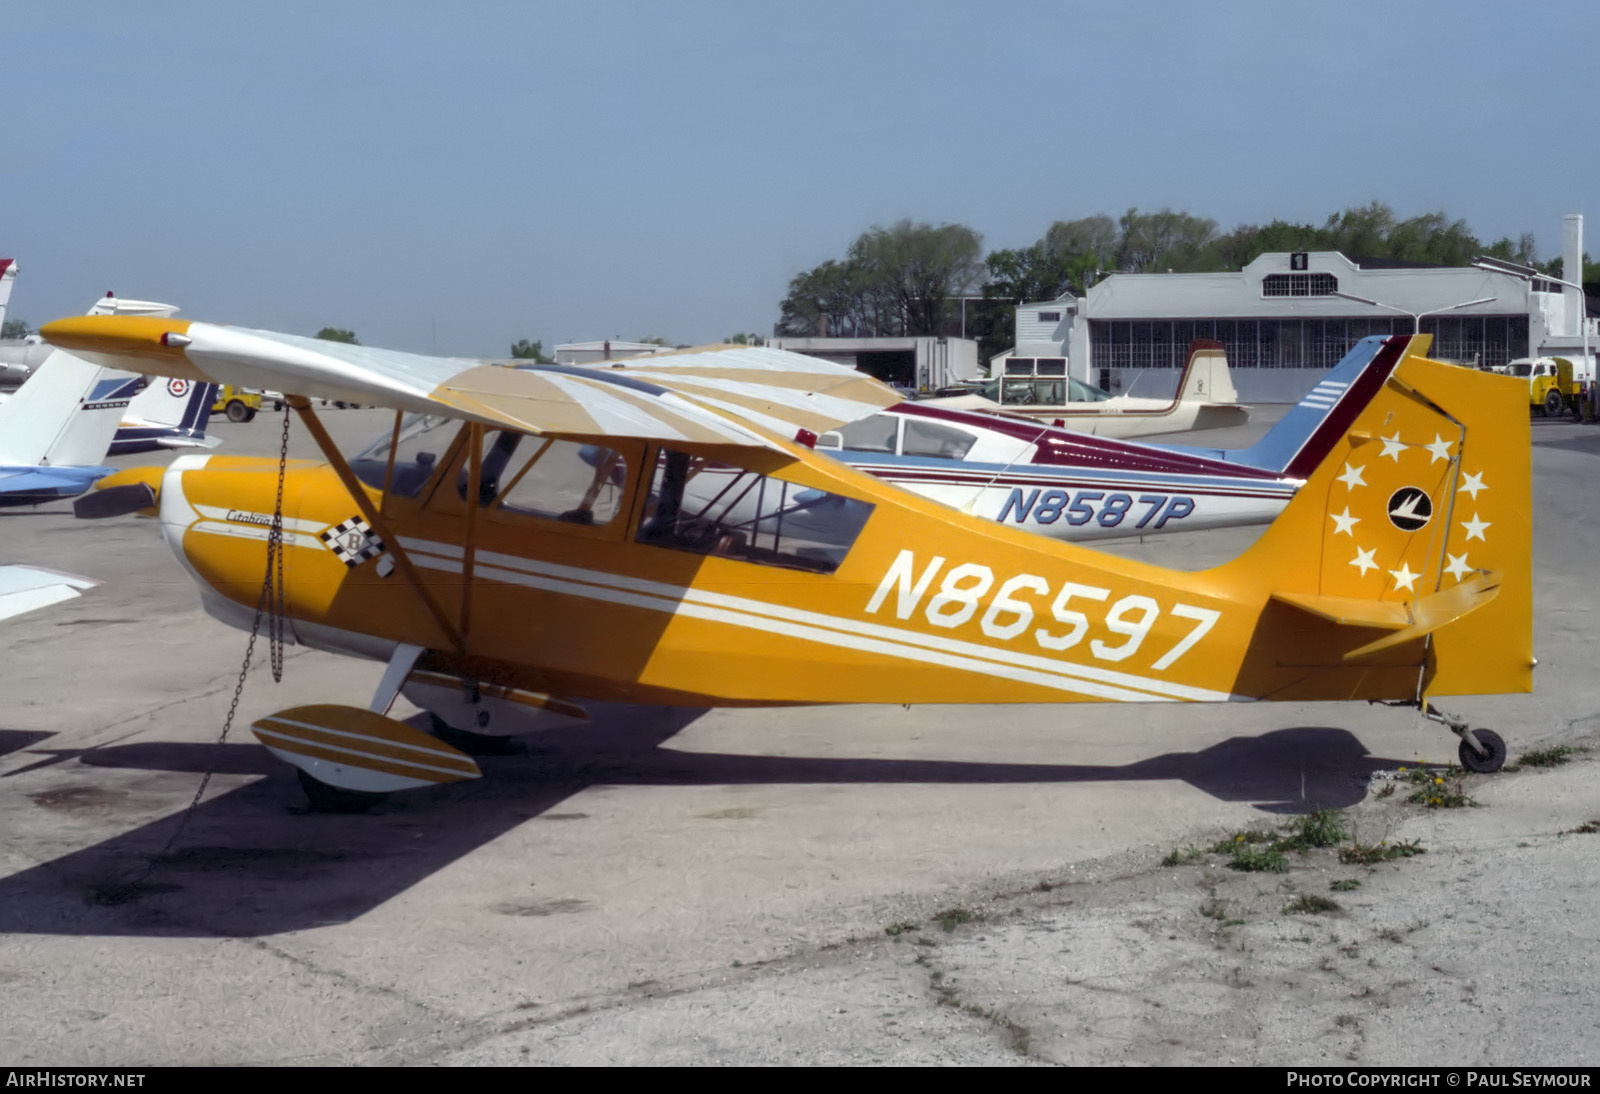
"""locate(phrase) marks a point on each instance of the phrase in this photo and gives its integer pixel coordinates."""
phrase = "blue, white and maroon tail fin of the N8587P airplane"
(1305, 437)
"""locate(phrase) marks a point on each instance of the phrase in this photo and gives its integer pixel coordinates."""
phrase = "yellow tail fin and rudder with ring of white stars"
(1410, 549)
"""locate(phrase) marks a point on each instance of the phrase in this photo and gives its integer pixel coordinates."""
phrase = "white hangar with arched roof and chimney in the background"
(1289, 317)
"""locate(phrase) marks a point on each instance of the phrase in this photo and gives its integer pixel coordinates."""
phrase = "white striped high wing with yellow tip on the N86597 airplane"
(716, 396)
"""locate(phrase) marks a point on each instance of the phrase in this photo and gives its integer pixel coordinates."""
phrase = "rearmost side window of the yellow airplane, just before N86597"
(716, 509)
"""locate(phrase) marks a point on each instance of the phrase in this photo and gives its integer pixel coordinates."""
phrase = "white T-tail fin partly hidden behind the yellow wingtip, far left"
(70, 410)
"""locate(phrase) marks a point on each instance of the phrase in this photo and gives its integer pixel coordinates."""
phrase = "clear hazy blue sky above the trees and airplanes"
(450, 178)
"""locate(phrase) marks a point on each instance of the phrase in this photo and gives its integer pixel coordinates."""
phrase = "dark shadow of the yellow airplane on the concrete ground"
(252, 863)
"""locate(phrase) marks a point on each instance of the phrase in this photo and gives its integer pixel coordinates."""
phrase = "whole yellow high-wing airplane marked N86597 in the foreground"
(660, 532)
